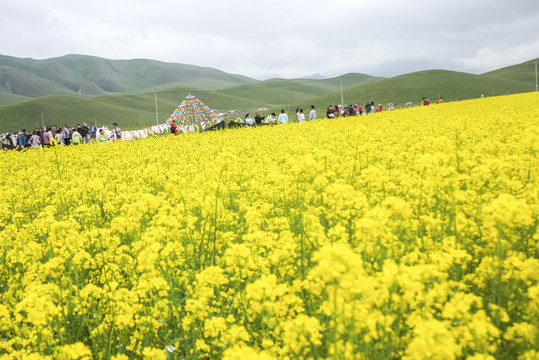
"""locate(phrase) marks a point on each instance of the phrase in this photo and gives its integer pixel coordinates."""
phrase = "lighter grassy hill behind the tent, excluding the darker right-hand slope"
(133, 111)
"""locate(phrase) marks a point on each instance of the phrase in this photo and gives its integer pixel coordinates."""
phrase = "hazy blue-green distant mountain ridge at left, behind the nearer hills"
(88, 75)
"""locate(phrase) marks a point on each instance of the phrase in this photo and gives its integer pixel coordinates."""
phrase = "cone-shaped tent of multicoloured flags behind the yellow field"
(193, 115)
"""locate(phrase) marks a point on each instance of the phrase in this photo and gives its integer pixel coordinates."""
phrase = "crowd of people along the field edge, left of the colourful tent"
(58, 135)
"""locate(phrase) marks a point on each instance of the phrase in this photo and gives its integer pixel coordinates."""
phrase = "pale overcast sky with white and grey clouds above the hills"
(279, 38)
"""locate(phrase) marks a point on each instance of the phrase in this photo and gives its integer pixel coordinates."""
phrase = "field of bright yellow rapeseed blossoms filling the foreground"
(410, 234)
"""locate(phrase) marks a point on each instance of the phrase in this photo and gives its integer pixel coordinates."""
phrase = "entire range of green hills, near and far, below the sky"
(79, 88)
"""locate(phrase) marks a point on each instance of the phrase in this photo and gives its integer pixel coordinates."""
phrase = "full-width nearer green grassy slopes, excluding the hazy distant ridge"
(133, 111)
